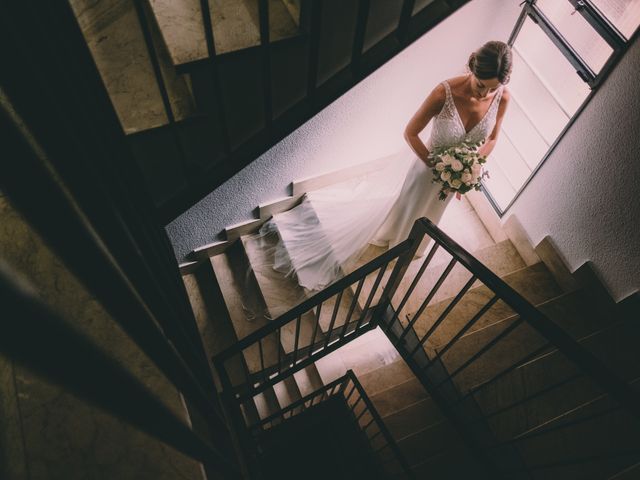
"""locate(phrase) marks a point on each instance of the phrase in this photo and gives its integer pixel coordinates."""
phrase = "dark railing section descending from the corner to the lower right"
(465, 333)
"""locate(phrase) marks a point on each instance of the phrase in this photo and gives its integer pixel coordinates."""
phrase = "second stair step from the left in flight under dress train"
(244, 304)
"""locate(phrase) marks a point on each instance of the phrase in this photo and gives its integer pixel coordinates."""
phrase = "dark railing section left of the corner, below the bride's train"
(316, 327)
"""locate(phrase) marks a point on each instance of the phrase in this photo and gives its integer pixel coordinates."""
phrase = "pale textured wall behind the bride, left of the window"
(365, 123)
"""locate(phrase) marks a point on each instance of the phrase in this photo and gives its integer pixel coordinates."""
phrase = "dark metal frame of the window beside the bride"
(607, 31)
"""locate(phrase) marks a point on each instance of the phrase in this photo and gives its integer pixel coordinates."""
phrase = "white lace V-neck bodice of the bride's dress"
(448, 129)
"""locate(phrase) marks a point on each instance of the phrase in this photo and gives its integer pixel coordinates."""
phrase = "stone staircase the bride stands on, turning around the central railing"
(491, 397)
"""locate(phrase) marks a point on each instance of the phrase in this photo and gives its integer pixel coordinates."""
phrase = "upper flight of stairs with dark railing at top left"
(204, 87)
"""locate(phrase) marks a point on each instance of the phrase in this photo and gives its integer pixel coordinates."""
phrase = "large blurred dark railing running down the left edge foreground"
(73, 180)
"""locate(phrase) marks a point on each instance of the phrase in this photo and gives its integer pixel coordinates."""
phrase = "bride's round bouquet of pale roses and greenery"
(458, 169)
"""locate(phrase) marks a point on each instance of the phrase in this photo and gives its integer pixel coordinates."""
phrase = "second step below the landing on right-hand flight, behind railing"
(535, 283)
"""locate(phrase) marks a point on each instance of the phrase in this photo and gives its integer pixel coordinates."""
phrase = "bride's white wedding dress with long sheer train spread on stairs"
(320, 240)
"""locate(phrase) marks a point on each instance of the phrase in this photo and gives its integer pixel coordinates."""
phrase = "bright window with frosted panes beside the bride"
(562, 50)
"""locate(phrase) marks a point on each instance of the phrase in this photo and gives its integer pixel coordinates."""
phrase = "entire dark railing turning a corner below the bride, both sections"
(447, 297)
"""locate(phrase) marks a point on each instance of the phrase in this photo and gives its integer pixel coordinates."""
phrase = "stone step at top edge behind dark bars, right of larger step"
(235, 25)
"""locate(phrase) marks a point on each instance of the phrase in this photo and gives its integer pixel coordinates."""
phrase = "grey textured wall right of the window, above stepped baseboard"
(585, 196)
